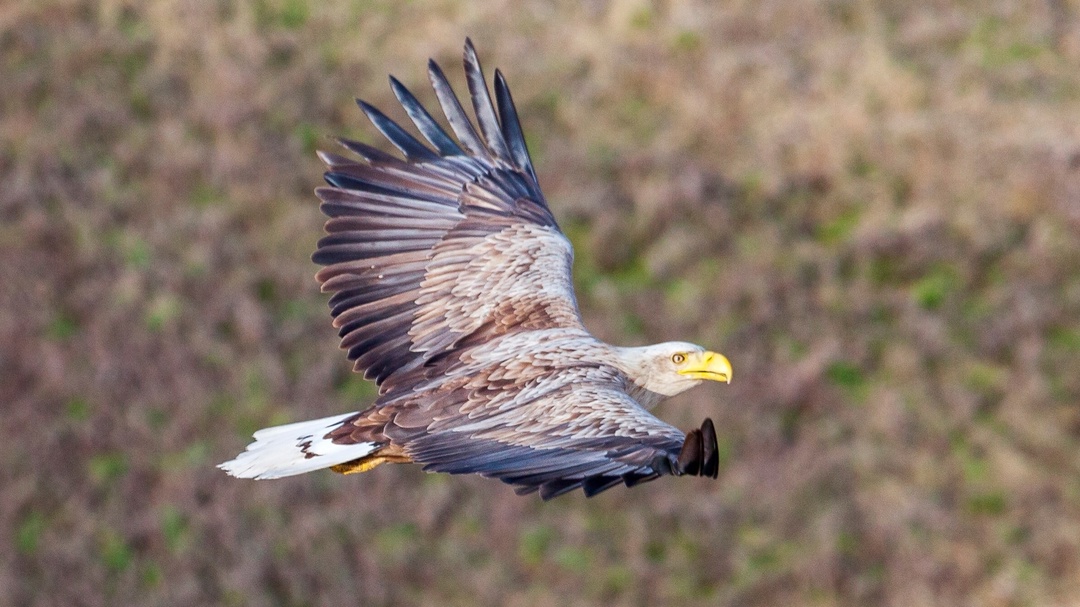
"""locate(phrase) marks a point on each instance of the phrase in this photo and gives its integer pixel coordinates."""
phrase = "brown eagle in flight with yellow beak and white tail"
(452, 291)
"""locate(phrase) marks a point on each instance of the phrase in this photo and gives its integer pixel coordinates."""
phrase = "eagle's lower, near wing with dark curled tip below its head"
(593, 439)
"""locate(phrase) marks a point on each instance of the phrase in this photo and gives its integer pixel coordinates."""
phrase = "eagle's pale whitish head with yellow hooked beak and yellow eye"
(673, 368)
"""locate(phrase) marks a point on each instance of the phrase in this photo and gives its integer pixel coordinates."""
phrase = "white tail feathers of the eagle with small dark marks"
(295, 449)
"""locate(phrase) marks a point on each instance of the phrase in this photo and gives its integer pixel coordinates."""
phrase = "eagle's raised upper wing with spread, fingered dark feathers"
(454, 242)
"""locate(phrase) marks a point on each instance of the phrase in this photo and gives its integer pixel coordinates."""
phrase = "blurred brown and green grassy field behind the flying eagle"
(872, 208)
